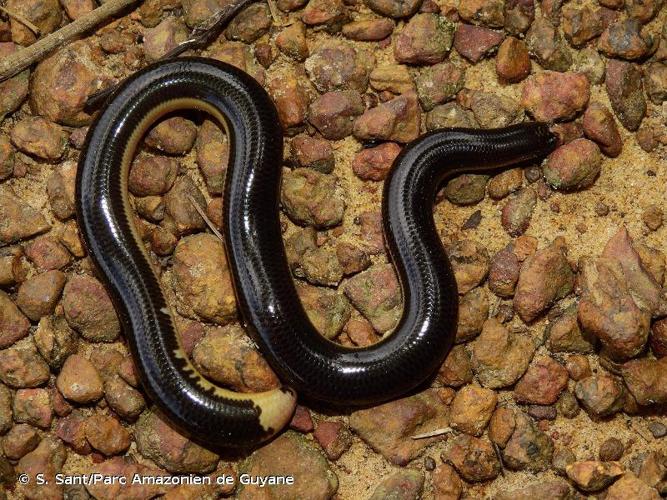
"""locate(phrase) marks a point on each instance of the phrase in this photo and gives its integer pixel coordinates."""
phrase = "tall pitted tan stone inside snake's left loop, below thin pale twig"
(202, 278)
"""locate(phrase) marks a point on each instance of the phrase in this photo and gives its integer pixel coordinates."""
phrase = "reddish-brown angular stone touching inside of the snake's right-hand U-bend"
(376, 293)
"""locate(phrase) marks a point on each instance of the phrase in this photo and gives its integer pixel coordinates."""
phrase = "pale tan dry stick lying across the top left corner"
(18, 61)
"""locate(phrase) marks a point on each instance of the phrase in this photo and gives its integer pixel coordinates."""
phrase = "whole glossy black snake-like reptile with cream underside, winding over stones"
(266, 296)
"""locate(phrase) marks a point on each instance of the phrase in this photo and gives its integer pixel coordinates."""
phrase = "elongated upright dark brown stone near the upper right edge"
(625, 90)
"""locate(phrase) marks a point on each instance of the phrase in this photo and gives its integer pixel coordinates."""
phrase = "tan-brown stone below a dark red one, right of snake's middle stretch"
(312, 198)
